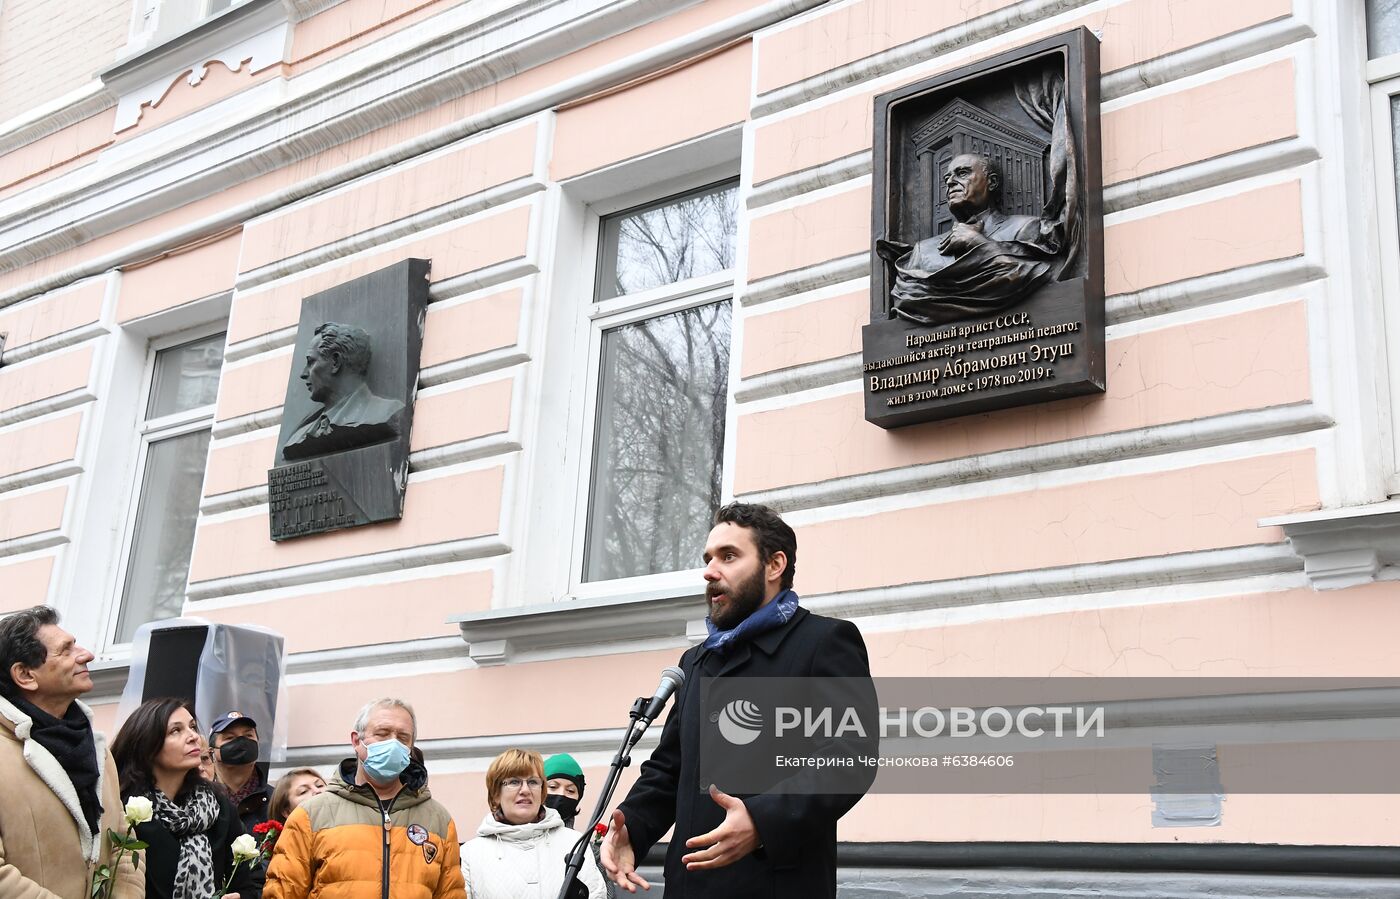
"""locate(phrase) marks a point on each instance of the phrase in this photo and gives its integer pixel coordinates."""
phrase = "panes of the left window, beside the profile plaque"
(174, 433)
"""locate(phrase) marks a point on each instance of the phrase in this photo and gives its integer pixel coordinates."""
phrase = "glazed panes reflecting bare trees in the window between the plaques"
(663, 317)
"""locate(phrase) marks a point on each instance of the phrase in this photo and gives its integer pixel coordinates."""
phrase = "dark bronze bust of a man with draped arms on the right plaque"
(986, 263)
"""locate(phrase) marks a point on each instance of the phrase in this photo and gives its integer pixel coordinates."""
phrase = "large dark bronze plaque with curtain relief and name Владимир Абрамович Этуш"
(988, 278)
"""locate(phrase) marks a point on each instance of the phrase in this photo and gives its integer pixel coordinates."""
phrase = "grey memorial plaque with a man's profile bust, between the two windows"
(344, 454)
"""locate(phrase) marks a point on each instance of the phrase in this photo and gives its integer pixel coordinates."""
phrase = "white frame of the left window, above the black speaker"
(148, 433)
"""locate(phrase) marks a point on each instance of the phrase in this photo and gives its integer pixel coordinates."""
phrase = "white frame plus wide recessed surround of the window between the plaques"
(548, 510)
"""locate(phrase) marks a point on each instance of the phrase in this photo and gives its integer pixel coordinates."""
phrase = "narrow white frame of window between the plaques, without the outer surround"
(604, 316)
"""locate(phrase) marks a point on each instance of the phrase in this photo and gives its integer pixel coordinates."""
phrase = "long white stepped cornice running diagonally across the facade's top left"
(454, 54)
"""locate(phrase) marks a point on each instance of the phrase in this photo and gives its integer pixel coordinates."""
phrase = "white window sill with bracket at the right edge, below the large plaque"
(1345, 547)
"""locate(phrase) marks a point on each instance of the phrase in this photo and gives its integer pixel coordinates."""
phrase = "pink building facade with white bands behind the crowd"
(174, 181)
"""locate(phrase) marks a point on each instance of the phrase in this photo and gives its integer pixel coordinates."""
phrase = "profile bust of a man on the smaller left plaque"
(351, 415)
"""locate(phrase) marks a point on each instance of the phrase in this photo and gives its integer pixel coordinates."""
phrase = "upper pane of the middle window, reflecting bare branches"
(668, 242)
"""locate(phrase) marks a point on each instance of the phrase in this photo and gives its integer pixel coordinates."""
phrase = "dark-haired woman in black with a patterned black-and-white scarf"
(194, 827)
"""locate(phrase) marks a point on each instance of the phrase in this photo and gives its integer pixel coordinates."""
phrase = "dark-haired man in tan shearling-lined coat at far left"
(61, 788)
